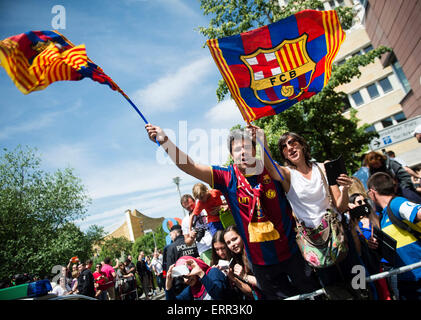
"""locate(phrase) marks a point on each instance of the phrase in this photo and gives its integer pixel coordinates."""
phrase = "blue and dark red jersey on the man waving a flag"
(275, 207)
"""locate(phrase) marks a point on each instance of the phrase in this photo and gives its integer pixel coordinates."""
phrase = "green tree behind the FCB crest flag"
(319, 119)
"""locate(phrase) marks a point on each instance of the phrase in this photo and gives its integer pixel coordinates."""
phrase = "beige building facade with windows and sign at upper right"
(384, 95)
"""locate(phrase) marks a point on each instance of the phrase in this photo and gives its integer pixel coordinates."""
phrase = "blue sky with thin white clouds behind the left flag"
(151, 49)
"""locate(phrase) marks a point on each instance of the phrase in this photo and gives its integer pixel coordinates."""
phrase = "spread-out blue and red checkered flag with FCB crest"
(271, 68)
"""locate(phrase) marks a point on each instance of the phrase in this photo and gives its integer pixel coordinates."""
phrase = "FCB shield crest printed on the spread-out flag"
(281, 73)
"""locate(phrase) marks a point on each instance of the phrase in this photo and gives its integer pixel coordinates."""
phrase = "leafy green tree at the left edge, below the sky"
(37, 210)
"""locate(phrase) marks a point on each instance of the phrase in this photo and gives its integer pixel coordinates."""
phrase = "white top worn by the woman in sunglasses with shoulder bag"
(308, 197)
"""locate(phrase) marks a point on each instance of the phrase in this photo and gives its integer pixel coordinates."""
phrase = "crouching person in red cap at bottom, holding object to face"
(202, 282)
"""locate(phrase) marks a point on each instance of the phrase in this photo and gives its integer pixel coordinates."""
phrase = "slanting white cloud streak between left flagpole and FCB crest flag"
(169, 91)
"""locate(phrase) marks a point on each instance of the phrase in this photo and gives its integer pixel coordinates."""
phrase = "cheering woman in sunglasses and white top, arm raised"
(304, 183)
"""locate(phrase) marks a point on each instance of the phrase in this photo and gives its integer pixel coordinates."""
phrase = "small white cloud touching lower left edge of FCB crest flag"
(225, 114)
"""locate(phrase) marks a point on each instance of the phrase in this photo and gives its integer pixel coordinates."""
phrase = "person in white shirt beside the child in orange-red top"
(200, 233)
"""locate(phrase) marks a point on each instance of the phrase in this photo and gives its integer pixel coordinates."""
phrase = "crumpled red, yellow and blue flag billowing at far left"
(35, 59)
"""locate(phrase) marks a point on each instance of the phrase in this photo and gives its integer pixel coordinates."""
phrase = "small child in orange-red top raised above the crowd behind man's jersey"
(211, 202)
